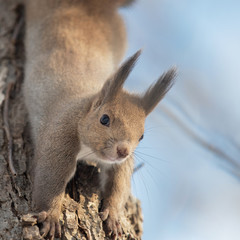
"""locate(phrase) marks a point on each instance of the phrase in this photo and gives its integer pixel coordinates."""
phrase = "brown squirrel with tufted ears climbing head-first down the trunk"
(77, 107)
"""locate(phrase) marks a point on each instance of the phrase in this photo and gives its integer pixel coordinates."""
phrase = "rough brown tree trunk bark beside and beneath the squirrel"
(80, 218)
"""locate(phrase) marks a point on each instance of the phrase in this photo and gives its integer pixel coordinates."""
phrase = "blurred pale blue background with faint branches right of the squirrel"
(189, 185)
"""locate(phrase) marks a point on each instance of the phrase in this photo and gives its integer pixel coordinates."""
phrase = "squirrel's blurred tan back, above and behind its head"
(72, 47)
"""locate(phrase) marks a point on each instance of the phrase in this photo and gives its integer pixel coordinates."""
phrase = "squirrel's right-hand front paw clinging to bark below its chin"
(112, 226)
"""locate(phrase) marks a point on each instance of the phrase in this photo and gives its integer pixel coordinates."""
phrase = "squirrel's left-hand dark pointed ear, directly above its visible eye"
(112, 86)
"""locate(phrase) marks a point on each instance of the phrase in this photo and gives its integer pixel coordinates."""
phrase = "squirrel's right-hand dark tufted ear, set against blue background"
(158, 90)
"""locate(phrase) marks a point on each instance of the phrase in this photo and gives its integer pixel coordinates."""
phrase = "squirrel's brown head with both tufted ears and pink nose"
(114, 124)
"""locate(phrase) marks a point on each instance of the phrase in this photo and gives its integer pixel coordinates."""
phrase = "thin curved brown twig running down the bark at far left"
(7, 128)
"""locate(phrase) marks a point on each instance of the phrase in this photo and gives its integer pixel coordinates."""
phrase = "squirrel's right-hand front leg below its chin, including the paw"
(116, 181)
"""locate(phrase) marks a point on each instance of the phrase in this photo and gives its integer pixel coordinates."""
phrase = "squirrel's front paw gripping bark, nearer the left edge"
(50, 224)
